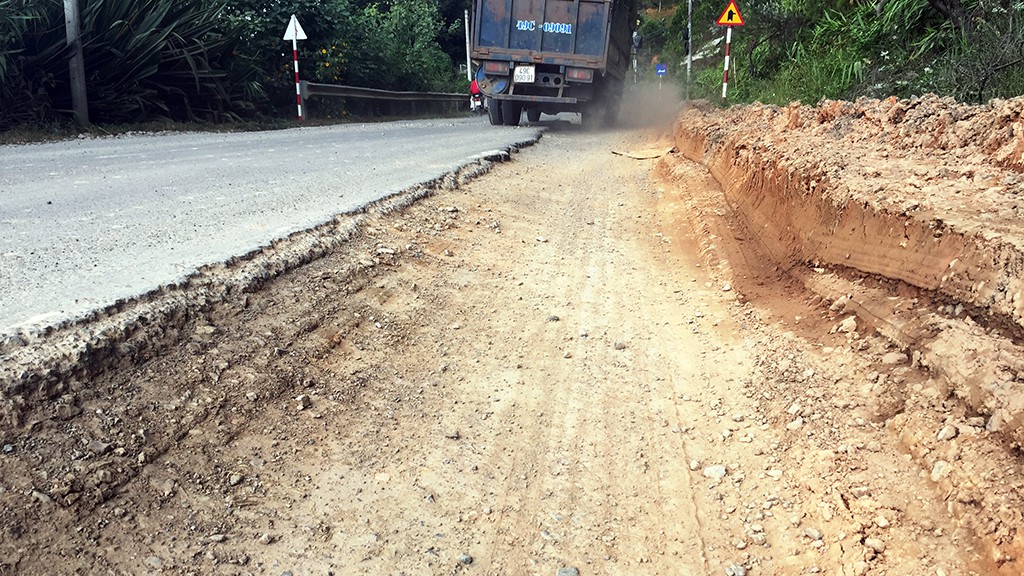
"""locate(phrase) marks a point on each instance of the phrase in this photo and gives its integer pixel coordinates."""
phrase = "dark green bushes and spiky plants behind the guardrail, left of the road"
(218, 61)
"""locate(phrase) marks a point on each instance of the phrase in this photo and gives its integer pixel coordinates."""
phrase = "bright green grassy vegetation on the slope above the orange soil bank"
(806, 51)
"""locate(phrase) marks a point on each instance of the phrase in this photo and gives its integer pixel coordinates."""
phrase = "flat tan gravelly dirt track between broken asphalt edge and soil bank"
(582, 362)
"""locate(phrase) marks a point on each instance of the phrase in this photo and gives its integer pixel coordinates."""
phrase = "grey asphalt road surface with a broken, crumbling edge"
(88, 223)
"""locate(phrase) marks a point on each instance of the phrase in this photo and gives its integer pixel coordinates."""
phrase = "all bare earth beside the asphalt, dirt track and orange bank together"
(770, 341)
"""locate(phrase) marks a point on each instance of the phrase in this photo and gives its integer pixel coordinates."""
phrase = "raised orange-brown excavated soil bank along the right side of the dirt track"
(909, 215)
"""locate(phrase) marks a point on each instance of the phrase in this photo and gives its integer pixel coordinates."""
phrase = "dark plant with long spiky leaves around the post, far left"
(144, 60)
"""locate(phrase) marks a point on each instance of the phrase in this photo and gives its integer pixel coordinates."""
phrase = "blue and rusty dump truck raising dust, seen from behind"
(547, 57)
